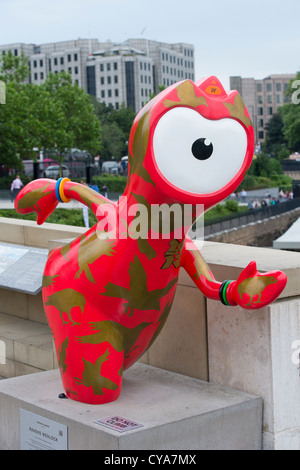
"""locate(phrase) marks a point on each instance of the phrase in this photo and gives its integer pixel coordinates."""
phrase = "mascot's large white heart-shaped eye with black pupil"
(198, 155)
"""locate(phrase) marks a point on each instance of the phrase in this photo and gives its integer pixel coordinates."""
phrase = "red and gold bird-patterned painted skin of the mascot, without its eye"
(106, 300)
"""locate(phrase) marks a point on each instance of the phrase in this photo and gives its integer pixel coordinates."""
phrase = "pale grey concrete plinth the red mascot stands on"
(176, 412)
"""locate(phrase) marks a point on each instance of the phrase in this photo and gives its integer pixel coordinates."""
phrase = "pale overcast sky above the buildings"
(231, 37)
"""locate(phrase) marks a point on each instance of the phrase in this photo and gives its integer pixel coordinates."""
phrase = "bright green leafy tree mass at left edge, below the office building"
(56, 115)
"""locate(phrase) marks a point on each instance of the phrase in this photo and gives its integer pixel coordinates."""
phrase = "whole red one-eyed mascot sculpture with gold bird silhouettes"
(108, 293)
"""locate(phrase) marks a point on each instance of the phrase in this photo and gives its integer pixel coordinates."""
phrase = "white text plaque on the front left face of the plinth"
(39, 433)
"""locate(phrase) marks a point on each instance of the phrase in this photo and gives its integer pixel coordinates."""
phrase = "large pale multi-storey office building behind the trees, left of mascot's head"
(115, 73)
